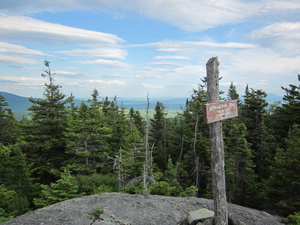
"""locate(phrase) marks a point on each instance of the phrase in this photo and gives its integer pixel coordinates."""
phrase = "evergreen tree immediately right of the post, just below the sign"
(239, 166)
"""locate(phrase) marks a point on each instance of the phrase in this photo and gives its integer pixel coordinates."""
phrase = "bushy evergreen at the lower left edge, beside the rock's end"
(16, 185)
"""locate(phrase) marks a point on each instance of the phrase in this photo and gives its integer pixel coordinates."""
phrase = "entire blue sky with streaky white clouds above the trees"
(132, 48)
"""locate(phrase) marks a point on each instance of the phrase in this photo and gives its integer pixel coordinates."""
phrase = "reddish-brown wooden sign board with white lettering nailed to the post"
(218, 111)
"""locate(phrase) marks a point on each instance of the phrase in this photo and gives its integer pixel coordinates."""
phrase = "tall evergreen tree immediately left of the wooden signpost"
(194, 147)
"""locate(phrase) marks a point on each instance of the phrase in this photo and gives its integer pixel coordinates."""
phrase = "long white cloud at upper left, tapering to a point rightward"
(23, 28)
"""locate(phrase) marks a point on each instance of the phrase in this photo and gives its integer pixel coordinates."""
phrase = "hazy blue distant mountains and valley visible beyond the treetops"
(19, 104)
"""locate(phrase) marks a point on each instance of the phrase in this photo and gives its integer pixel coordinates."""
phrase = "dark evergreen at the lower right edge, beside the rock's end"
(284, 182)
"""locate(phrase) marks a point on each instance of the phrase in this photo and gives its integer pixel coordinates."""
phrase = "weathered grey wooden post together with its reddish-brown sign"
(216, 111)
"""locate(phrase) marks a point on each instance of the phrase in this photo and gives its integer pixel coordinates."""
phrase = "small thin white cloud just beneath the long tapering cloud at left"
(113, 53)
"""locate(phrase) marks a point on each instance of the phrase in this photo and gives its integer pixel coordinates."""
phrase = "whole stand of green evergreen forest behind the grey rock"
(65, 151)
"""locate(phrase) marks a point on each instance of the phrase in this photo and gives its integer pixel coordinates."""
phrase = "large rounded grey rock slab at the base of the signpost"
(126, 209)
